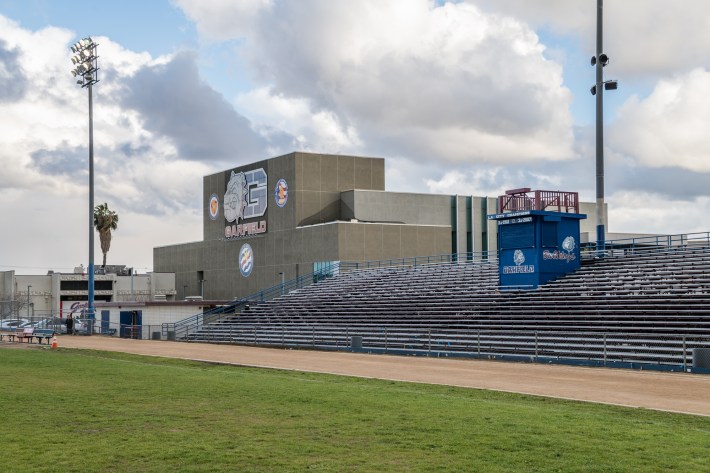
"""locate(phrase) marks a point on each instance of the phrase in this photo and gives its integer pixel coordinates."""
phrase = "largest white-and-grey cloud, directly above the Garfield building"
(410, 78)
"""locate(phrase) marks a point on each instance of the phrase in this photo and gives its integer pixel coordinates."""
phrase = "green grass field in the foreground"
(69, 410)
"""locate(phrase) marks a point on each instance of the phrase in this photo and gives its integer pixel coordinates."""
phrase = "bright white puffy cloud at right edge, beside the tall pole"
(670, 126)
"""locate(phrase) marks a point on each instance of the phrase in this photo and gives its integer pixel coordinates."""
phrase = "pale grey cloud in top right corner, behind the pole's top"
(641, 37)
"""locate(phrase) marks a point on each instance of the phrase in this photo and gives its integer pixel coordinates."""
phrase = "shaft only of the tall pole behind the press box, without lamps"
(600, 134)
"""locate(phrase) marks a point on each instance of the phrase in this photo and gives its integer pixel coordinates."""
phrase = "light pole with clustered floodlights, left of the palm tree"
(86, 72)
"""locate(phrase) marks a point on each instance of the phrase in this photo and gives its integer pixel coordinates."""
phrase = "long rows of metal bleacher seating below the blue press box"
(632, 306)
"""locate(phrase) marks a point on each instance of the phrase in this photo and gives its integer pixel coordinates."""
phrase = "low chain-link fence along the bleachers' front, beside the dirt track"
(622, 349)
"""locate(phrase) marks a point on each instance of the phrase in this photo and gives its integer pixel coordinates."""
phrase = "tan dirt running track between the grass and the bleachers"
(675, 392)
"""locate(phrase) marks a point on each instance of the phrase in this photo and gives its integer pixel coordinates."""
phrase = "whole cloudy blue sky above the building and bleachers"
(471, 97)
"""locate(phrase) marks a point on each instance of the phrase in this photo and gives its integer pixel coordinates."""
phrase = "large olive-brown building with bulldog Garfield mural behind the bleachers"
(277, 219)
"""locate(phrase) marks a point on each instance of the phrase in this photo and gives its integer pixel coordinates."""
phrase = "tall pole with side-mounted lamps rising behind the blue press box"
(599, 61)
